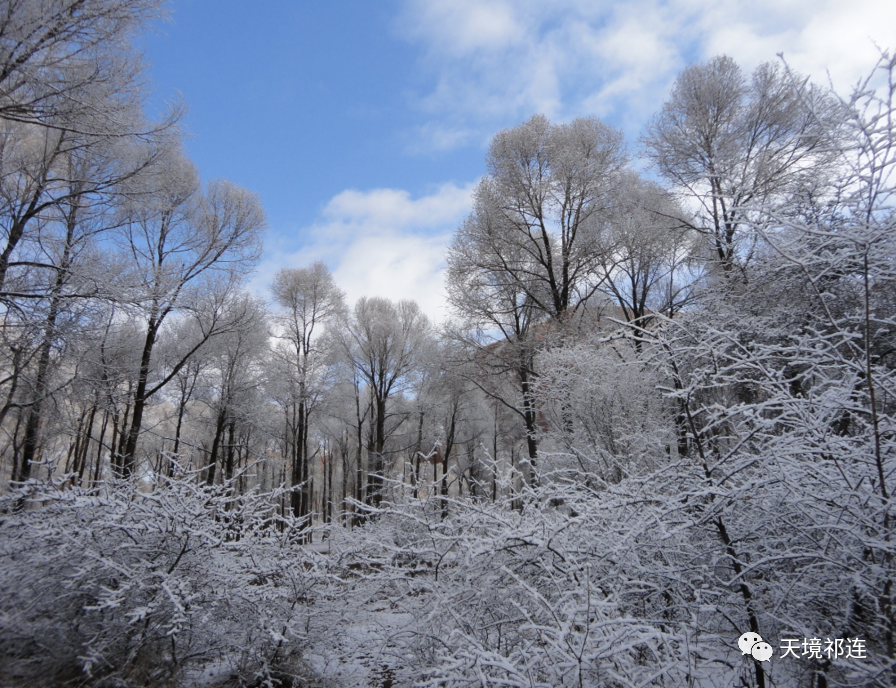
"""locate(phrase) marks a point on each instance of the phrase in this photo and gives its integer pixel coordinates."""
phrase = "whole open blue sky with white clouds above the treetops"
(363, 125)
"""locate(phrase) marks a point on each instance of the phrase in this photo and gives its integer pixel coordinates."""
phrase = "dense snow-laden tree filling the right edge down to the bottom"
(789, 404)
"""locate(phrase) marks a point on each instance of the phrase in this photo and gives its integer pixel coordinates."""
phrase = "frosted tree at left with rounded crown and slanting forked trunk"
(181, 240)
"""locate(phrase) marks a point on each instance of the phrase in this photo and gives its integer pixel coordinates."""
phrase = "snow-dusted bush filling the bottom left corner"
(115, 586)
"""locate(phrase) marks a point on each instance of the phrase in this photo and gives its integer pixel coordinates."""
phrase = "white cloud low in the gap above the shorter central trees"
(381, 242)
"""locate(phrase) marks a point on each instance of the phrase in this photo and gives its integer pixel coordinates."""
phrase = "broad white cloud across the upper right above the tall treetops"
(496, 62)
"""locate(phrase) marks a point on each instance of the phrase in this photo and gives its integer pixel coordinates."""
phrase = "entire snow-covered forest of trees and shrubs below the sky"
(661, 415)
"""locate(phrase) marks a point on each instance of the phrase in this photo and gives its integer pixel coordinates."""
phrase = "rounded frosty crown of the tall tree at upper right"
(731, 144)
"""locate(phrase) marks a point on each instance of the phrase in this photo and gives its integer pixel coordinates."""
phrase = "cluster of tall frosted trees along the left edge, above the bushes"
(108, 237)
